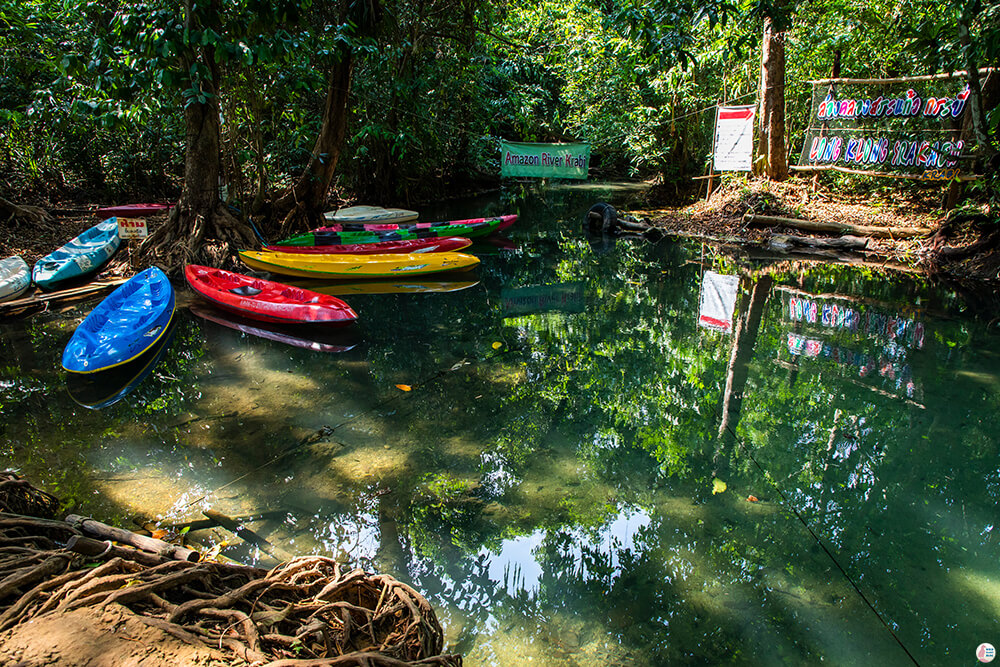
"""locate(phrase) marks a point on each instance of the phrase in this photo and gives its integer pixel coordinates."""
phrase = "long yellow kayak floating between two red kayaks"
(356, 266)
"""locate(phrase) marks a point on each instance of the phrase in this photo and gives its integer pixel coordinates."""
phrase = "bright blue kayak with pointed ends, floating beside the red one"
(123, 326)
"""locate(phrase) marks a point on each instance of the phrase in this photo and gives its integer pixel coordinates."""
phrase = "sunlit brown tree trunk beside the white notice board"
(771, 143)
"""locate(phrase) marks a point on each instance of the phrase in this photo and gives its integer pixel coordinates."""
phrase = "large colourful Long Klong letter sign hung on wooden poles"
(907, 129)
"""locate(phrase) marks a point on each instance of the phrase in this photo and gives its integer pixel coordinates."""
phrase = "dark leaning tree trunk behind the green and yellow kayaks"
(301, 205)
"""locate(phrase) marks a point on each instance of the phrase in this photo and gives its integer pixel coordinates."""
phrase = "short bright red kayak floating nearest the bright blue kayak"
(266, 300)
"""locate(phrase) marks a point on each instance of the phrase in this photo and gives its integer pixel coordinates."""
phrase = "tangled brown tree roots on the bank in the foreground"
(309, 611)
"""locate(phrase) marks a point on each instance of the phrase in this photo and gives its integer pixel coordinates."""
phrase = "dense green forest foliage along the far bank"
(92, 93)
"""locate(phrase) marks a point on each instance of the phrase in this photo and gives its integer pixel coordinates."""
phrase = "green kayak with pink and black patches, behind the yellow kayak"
(374, 232)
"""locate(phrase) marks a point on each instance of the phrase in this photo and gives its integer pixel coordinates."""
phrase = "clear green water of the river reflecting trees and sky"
(548, 479)
